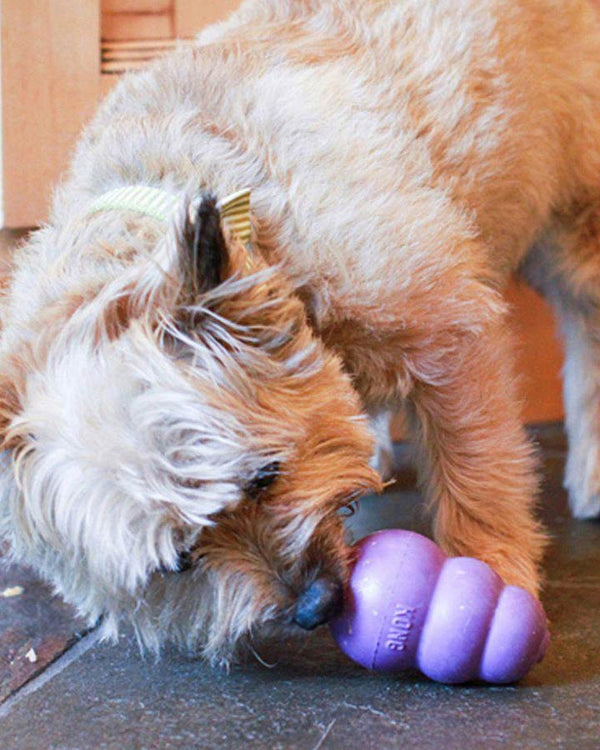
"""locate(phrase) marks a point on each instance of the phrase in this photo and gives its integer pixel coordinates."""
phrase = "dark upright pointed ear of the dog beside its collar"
(208, 262)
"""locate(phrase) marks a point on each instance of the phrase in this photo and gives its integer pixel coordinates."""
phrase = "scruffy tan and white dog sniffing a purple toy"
(183, 416)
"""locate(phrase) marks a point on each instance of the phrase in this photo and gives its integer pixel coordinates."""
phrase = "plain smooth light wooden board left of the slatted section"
(50, 86)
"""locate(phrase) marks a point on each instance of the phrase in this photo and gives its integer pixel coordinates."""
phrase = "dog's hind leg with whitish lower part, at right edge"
(567, 271)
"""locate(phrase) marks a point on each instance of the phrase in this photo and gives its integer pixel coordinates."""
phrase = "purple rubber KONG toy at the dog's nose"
(408, 605)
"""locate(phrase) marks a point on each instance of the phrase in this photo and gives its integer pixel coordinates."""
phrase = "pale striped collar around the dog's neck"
(234, 209)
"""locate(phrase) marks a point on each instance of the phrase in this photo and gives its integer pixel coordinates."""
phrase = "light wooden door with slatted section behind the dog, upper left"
(58, 58)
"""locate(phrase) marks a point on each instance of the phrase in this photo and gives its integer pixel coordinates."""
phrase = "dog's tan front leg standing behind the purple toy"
(476, 463)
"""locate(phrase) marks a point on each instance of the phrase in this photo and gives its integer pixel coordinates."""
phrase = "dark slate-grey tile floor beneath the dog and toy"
(96, 696)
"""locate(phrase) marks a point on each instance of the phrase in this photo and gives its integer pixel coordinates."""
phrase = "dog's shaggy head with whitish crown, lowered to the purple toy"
(182, 444)
